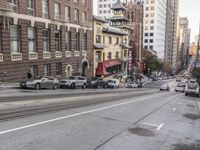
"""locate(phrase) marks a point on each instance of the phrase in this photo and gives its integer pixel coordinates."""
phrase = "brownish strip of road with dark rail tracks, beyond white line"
(28, 107)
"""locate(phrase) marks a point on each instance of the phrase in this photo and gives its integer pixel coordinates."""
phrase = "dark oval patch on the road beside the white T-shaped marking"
(142, 131)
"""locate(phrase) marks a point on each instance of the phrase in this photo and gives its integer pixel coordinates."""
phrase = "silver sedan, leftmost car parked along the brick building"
(40, 82)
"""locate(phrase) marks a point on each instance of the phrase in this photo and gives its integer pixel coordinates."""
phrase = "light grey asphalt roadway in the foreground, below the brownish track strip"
(160, 121)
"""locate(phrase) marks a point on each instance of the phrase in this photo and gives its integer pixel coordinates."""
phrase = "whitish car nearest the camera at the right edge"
(192, 89)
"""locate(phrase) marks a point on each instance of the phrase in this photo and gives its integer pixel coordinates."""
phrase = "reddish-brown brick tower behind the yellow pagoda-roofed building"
(134, 12)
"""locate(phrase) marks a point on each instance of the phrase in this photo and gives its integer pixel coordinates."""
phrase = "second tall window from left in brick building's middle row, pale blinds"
(31, 40)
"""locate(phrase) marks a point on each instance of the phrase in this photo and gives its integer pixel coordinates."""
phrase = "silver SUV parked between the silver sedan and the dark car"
(73, 82)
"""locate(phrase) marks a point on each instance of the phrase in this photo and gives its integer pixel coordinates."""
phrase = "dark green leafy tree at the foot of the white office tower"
(153, 63)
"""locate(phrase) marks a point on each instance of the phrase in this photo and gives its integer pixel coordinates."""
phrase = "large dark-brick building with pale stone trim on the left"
(47, 37)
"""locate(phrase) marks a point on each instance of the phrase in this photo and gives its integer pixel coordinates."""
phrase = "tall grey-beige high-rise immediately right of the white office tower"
(171, 47)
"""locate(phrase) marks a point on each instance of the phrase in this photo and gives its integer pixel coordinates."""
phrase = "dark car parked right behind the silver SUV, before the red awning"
(96, 82)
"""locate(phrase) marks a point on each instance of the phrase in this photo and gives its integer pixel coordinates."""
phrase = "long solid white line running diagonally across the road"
(70, 116)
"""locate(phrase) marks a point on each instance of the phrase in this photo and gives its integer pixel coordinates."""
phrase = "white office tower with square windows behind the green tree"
(154, 26)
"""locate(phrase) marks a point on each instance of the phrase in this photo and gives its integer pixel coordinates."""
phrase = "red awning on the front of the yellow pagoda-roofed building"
(101, 68)
